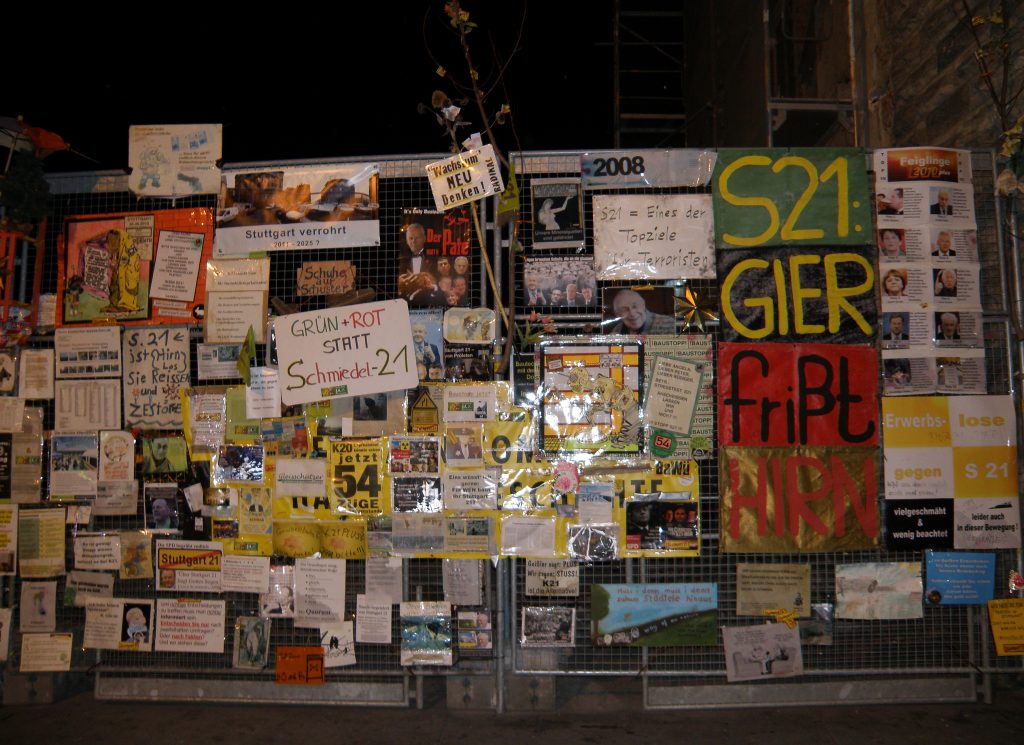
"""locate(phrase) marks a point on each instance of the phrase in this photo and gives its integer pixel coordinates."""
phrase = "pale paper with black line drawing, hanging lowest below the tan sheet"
(764, 651)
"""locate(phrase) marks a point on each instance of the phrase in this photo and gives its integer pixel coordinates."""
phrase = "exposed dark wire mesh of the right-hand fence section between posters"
(950, 640)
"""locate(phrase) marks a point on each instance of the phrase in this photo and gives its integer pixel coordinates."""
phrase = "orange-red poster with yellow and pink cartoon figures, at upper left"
(109, 261)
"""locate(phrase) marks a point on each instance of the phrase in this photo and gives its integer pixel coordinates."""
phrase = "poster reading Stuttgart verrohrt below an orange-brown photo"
(298, 207)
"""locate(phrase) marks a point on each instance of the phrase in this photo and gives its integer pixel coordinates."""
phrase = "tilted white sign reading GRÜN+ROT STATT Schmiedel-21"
(346, 352)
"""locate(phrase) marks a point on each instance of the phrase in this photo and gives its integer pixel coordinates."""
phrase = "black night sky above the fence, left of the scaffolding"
(324, 89)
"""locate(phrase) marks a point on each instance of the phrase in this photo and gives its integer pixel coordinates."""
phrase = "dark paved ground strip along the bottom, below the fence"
(82, 720)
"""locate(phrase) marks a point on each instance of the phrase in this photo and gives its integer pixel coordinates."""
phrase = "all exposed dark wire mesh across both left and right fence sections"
(949, 639)
